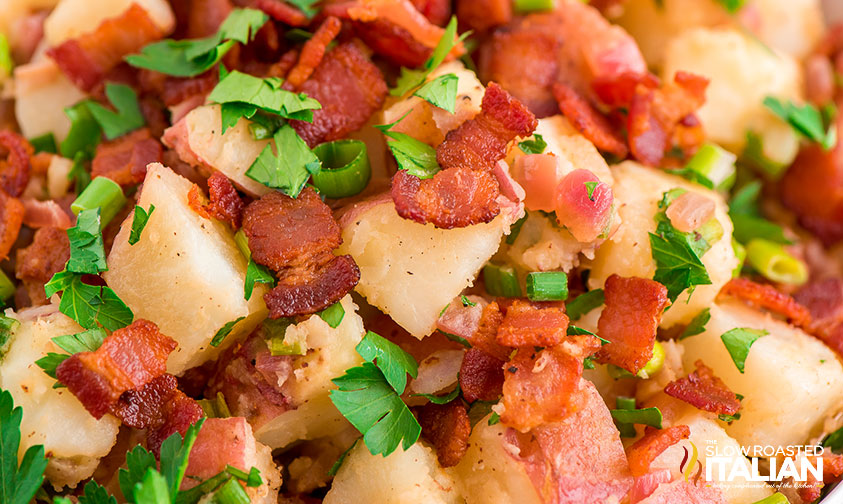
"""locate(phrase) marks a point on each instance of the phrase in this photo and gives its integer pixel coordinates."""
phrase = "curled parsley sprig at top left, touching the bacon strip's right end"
(191, 57)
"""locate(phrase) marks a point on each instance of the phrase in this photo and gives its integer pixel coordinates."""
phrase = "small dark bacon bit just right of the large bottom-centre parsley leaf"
(447, 427)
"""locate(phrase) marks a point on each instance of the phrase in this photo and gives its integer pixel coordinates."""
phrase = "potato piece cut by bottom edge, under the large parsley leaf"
(404, 477)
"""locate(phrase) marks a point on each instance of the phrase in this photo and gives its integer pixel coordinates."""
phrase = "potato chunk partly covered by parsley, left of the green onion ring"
(199, 141)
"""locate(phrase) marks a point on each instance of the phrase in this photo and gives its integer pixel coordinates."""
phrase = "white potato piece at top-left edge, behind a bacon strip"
(72, 18)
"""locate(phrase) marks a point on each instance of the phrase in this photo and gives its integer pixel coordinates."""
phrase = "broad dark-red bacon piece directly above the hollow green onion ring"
(350, 89)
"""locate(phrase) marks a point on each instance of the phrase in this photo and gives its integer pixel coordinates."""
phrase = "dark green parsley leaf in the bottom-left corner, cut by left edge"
(18, 483)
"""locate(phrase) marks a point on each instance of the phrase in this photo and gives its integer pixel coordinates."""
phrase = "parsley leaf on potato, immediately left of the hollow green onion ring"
(288, 167)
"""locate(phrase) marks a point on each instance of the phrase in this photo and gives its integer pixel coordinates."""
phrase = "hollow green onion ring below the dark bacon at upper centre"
(345, 168)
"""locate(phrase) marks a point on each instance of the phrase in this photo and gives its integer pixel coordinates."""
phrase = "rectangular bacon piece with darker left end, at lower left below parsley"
(128, 359)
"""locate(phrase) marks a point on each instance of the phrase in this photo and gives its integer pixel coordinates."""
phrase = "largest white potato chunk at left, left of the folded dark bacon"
(185, 273)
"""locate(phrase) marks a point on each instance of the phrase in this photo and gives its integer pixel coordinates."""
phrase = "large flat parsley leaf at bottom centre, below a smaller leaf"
(366, 399)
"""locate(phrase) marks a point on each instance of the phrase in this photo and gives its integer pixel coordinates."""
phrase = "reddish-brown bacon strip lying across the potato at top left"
(87, 59)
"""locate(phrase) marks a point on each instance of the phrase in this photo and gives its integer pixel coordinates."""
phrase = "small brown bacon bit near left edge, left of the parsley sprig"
(36, 264)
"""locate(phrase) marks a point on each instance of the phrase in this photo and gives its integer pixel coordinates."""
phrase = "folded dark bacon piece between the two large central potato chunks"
(295, 237)
